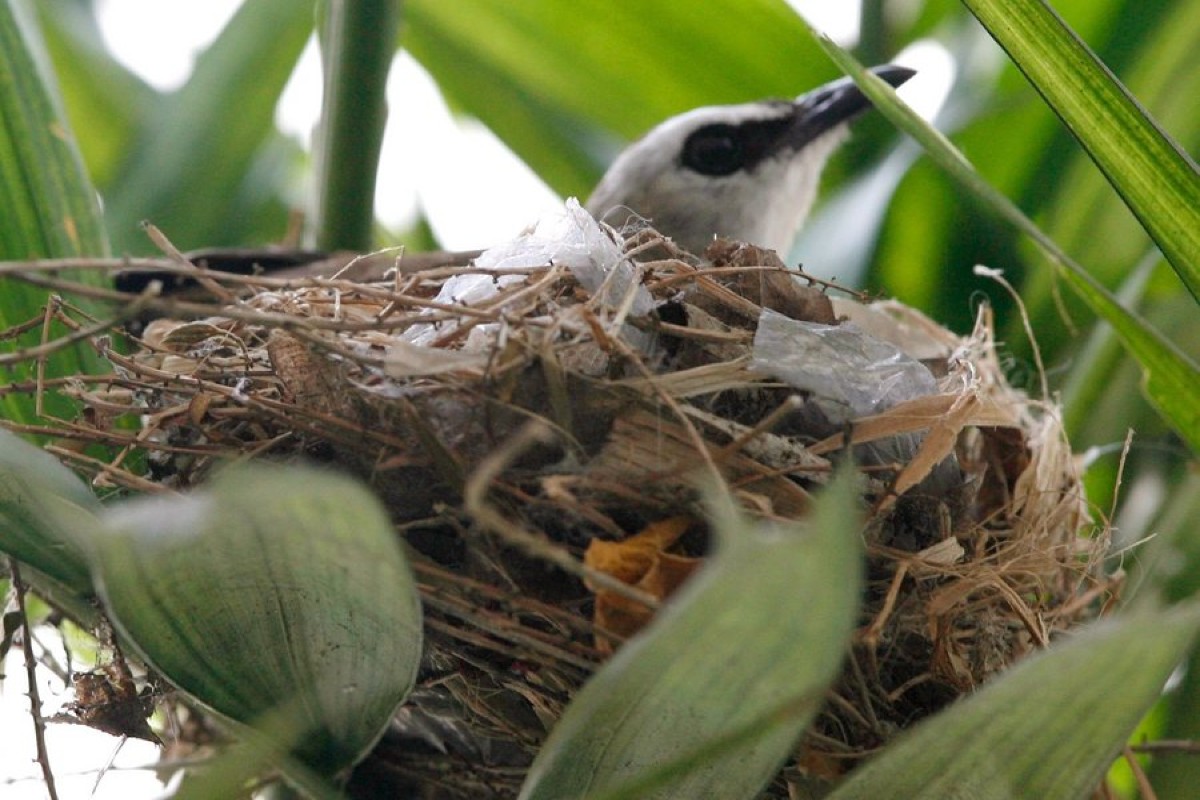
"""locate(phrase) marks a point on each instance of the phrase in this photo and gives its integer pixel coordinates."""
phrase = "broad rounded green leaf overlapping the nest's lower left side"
(279, 599)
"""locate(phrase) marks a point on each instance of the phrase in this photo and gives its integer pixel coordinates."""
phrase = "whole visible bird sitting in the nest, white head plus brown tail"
(747, 172)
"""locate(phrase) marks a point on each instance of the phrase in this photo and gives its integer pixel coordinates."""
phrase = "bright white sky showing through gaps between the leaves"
(423, 166)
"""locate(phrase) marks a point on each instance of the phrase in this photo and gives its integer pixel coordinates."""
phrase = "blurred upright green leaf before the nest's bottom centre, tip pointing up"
(711, 699)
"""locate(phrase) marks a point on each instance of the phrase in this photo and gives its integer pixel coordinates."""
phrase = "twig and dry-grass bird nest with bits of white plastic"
(563, 395)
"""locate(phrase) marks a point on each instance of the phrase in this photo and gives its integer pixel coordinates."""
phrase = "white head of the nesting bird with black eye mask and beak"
(748, 172)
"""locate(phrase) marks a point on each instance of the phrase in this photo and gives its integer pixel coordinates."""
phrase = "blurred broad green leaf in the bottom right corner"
(1048, 729)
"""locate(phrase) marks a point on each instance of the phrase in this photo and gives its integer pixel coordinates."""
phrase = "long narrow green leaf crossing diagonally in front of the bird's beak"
(1172, 378)
